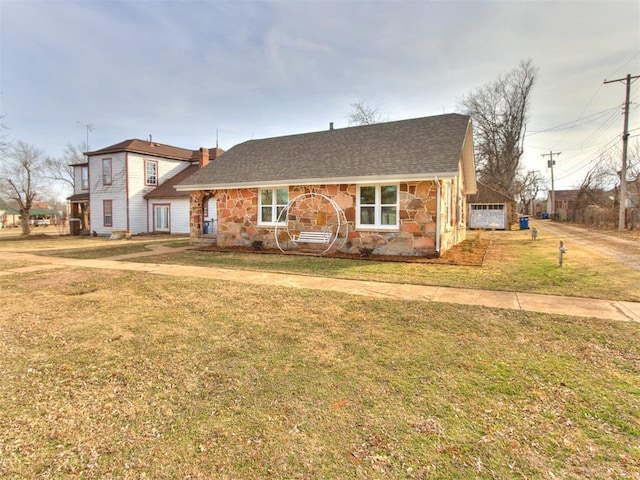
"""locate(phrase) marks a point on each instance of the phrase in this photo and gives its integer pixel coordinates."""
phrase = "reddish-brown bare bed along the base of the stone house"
(467, 253)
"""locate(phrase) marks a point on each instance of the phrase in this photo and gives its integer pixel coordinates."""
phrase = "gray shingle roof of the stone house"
(403, 149)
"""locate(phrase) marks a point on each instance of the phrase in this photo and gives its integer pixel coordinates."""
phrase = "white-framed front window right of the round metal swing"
(378, 207)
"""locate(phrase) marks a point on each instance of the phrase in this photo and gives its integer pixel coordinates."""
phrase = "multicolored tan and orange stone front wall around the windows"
(238, 219)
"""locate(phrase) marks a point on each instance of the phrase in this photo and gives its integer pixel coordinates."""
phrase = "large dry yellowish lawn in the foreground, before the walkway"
(126, 375)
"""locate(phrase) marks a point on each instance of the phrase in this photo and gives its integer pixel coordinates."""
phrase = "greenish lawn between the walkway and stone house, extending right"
(512, 263)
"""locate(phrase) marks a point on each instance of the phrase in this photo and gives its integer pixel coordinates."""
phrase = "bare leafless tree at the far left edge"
(21, 178)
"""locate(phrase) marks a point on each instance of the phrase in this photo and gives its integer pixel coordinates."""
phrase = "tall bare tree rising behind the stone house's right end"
(500, 112)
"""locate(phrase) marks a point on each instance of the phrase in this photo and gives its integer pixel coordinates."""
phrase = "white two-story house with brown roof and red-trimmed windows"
(129, 187)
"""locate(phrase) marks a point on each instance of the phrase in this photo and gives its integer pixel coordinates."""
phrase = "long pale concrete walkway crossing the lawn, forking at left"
(580, 307)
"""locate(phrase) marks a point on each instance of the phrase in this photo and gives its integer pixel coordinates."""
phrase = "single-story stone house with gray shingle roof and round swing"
(399, 188)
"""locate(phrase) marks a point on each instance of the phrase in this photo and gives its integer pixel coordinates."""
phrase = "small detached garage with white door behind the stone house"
(490, 210)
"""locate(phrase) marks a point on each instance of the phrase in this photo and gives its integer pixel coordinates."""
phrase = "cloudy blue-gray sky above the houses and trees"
(200, 73)
